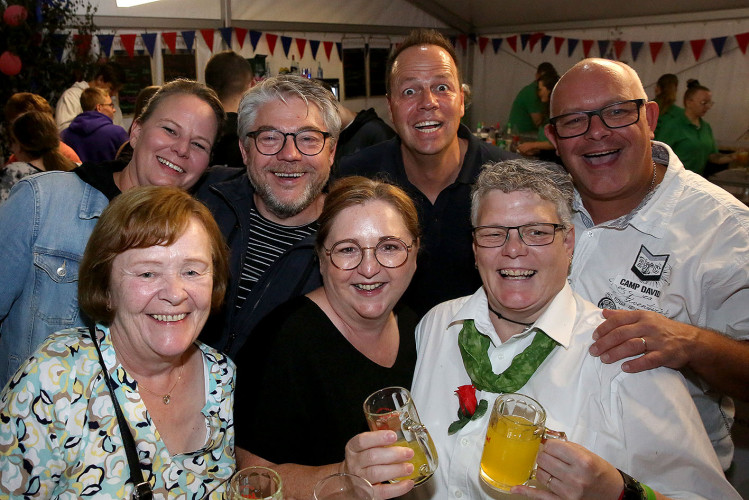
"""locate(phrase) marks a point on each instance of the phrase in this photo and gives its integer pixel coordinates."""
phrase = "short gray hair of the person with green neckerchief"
(548, 180)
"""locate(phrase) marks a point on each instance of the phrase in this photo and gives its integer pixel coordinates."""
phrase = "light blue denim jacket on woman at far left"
(45, 224)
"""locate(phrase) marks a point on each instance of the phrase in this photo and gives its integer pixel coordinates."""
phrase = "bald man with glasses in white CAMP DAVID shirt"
(664, 252)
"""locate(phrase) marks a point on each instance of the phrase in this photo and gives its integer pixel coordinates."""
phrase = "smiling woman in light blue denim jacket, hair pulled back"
(48, 218)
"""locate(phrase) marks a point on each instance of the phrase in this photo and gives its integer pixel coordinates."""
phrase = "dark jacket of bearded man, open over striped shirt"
(228, 194)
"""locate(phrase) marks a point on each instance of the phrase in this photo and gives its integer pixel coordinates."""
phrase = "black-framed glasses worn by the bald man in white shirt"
(616, 115)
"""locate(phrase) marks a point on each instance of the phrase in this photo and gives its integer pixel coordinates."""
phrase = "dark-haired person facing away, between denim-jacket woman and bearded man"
(230, 75)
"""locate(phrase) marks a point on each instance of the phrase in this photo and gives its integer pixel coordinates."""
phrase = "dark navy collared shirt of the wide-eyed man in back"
(445, 267)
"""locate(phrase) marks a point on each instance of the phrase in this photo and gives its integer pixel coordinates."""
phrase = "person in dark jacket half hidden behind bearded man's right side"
(360, 130)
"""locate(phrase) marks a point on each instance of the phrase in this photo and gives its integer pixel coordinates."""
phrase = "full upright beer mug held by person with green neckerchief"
(516, 427)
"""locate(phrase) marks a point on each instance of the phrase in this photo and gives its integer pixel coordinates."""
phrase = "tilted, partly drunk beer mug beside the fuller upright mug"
(393, 409)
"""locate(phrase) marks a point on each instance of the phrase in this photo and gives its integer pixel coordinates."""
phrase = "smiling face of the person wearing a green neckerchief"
(521, 280)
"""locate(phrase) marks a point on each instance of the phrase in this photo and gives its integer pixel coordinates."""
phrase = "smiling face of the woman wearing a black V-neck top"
(369, 291)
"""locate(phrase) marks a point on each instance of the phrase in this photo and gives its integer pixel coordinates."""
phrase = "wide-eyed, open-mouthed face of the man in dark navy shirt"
(426, 101)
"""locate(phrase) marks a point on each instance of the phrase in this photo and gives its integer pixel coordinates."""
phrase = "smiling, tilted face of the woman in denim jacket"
(172, 147)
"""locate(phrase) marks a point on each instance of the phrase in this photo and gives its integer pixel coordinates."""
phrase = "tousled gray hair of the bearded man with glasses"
(281, 88)
